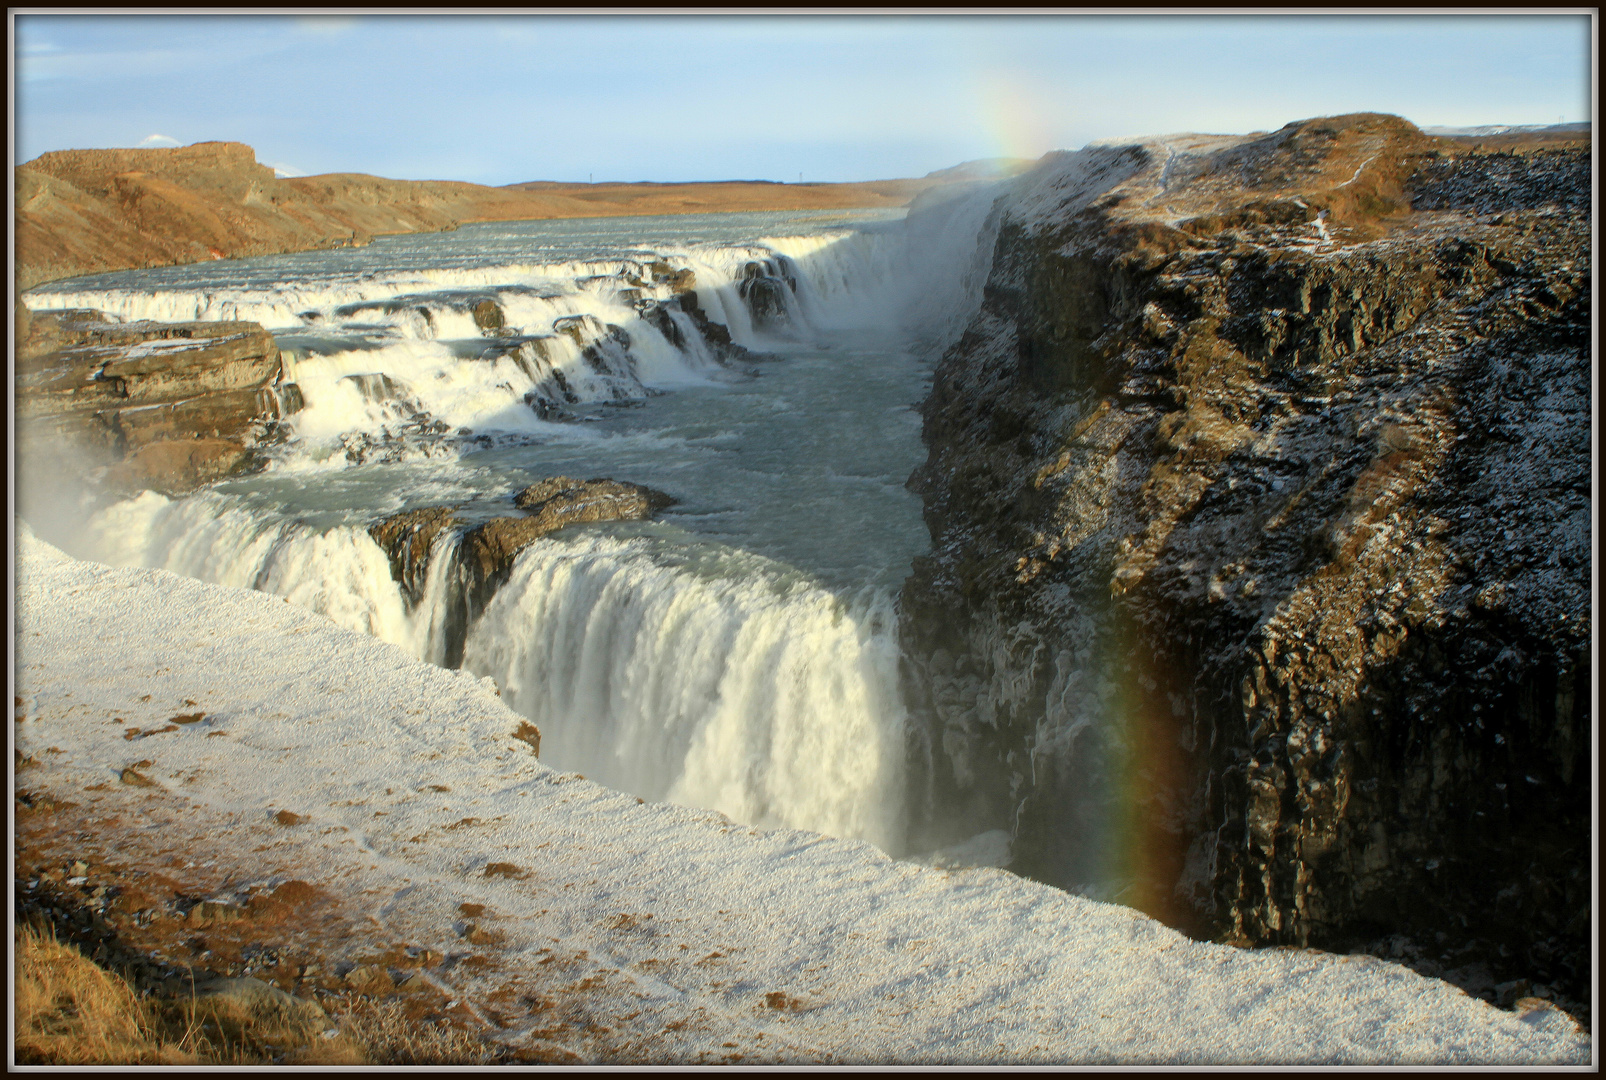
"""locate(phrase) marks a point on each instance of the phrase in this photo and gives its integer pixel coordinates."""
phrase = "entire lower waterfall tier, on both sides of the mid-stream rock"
(717, 681)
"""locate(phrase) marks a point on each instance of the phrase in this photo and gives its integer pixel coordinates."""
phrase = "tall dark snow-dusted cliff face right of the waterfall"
(1260, 494)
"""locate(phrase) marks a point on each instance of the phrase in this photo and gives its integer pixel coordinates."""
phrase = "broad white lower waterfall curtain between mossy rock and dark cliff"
(715, 687)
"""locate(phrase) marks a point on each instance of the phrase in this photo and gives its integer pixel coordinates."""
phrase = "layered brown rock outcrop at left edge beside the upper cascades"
(163, 406)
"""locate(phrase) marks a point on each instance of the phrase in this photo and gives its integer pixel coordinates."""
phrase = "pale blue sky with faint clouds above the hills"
(502, 99)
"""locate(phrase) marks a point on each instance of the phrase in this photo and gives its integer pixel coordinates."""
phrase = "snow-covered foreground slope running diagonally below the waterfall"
(680, 927)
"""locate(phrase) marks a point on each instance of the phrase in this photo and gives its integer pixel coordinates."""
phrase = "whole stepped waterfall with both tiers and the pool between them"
(741, 652)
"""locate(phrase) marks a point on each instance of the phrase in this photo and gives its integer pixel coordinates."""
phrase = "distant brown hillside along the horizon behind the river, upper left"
(88, 211)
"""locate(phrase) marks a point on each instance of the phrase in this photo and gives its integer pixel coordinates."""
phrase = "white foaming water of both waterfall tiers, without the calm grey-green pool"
(658, 663)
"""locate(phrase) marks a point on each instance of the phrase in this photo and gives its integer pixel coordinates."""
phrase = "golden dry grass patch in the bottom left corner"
(73, 1012)
